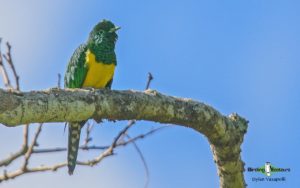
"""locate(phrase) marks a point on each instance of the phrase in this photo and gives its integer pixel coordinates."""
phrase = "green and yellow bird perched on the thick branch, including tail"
(92, 65)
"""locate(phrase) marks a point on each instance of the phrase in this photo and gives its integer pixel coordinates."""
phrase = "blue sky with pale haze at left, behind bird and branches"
(238, 56)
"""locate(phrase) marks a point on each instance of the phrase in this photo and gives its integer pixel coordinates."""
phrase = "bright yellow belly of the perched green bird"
(99, 74)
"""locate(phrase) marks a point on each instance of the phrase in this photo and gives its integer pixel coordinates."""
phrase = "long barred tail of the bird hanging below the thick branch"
(73, 144)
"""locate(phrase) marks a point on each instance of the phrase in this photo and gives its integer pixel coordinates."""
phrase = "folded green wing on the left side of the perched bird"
(77, 70)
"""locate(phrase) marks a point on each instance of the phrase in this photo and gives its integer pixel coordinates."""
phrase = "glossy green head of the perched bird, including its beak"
(104, 31)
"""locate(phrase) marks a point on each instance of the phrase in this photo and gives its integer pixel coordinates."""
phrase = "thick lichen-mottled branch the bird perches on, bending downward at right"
(225, 134)
